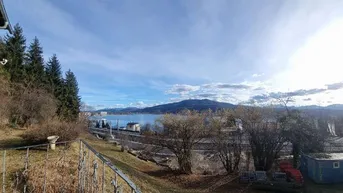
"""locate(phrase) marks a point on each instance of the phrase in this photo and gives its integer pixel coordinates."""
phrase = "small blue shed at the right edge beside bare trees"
(323, 168)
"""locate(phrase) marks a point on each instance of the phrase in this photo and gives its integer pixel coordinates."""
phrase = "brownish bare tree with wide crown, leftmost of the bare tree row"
(180, 133)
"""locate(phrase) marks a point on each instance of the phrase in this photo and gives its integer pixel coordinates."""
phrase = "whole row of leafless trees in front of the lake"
(267, 131)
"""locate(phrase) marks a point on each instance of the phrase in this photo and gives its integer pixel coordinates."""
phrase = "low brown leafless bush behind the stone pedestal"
(65, 130)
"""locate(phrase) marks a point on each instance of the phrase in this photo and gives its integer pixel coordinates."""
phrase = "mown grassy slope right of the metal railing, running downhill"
(150, 177)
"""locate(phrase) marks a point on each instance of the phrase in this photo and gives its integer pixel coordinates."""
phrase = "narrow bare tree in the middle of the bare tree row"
(227, 139)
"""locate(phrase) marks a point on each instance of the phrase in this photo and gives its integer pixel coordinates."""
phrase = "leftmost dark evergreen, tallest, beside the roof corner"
(14, 52)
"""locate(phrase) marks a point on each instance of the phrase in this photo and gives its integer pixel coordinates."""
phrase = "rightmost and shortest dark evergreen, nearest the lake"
(71, 101)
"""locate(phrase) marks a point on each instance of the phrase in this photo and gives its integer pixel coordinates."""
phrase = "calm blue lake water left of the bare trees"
(142, 119)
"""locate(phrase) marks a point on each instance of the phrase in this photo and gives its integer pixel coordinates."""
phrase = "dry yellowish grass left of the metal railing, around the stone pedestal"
(57, 176)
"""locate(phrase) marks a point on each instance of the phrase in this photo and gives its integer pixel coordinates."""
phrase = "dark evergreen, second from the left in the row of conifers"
(35, 65)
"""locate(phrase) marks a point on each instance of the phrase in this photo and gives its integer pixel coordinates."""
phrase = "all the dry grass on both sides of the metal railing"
(148, 176)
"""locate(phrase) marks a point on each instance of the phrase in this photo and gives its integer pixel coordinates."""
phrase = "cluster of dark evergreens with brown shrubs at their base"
(34, 92)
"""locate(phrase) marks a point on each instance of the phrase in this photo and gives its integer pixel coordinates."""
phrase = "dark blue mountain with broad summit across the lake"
(193, 104)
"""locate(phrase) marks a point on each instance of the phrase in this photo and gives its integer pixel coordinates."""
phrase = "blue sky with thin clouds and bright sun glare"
(144, 53)
